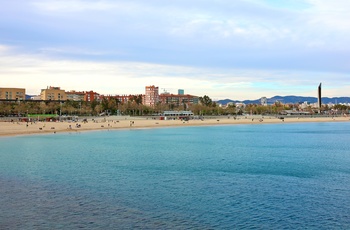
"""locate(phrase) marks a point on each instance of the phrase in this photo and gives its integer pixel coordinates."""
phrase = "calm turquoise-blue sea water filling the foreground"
(285, 176)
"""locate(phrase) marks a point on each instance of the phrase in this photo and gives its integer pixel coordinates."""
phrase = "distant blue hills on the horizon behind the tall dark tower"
(290, 99)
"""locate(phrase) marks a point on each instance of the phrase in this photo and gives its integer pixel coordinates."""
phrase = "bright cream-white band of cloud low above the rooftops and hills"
(38, 71)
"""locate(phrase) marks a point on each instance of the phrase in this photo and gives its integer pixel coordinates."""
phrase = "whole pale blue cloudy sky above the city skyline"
(236, 49)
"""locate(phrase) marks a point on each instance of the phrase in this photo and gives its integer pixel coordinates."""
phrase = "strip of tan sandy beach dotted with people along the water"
(9, 129)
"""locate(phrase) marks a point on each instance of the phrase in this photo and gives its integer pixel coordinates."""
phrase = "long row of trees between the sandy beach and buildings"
(134, 107)
